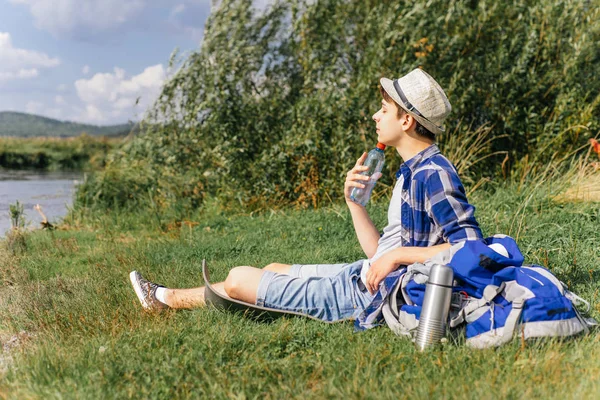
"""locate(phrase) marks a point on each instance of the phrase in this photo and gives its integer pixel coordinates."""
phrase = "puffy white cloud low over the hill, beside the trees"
(114, 94)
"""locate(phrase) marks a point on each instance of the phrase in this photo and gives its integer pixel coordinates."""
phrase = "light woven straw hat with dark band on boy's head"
(422, 97)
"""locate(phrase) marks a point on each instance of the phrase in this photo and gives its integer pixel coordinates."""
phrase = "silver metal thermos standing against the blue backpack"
(436, 305)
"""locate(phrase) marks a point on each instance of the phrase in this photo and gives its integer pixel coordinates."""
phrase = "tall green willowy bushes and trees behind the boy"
(275, 107)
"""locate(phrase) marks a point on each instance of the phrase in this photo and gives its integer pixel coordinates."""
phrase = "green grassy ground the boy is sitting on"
(72, 327)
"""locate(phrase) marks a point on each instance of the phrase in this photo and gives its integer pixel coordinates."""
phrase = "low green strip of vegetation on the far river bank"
(51, 154)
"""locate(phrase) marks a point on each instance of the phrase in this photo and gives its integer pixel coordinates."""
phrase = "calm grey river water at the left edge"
(52, 190)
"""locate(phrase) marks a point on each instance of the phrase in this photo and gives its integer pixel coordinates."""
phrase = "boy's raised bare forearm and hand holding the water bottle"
(366, 232)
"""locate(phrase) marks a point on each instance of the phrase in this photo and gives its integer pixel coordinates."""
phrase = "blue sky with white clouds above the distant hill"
(90, 60)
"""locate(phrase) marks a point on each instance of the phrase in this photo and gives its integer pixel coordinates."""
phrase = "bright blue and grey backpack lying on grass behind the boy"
(494, 295)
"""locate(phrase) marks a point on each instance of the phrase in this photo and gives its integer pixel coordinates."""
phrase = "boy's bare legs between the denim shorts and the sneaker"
(241, 284)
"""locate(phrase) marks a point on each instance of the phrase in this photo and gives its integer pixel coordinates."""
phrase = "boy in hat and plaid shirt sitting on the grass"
(428, 212)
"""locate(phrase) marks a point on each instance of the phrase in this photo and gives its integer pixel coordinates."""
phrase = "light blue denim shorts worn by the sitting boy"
(329, 292)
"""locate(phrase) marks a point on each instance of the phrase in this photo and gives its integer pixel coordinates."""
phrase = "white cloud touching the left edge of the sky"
(18, 63)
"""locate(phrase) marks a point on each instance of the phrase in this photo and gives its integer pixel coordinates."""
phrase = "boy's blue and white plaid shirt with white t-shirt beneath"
(429, 206)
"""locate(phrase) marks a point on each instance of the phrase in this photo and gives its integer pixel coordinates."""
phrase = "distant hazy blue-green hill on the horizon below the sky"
(27, 125)
